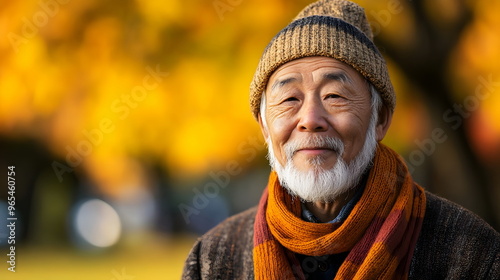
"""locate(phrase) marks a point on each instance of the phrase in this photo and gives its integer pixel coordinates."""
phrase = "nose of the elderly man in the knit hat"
(313, 117)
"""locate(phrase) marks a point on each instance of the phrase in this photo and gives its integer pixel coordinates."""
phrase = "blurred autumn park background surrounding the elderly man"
(129, 127)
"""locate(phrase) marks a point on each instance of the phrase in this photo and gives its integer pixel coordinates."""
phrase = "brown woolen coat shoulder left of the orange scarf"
(224, 252)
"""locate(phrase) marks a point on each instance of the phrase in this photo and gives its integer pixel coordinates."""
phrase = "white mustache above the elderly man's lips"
(315, 141)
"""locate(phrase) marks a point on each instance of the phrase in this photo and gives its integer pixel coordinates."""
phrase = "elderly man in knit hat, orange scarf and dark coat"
(339, 204)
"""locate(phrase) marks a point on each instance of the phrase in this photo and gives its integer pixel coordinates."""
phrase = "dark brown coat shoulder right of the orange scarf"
(455, 243)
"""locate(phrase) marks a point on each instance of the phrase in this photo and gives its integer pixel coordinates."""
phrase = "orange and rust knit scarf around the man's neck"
(380, 232)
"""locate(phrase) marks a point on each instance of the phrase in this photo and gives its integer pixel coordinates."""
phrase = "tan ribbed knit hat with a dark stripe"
(331, 28)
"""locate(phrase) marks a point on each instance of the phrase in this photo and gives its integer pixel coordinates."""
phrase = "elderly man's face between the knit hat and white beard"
(316, 96)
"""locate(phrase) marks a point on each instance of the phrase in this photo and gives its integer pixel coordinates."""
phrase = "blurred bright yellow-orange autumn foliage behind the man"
(67, 69)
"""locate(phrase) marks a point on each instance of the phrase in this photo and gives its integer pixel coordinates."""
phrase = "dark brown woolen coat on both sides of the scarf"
(454, 244)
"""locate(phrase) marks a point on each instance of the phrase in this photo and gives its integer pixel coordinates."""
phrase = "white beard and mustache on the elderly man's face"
(319, 184)
